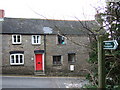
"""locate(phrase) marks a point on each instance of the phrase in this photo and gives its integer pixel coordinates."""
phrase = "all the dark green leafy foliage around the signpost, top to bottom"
(112, 57)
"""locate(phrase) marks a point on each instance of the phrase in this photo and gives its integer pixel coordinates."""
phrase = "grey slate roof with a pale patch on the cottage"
(42, 26)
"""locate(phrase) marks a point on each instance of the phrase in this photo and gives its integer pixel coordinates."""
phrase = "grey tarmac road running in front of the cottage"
(42, 82)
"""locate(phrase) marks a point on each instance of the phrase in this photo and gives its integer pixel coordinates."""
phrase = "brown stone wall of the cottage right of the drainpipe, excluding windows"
(82, 54)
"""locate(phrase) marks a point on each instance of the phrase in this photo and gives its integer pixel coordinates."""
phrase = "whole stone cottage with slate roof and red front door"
(44, 47)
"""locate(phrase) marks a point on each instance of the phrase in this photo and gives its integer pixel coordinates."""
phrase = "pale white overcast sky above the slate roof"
(51, 9)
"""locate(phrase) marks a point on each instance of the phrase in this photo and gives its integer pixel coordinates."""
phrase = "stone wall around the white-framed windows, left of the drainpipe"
(27, 47)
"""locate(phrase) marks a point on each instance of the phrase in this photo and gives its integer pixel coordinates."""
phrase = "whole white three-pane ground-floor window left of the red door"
(16, 59)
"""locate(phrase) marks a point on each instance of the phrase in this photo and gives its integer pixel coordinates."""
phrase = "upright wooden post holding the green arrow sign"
(101, 63)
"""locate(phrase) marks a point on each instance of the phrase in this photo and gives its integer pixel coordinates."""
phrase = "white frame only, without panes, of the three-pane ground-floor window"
(18, 59)
